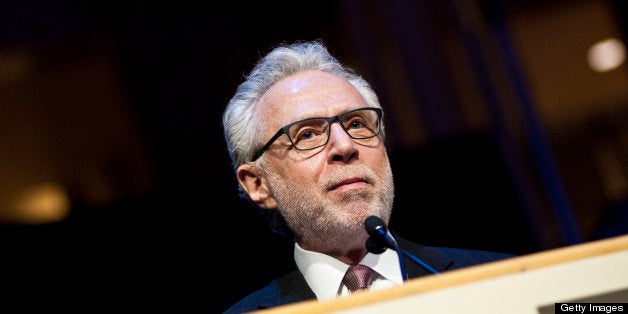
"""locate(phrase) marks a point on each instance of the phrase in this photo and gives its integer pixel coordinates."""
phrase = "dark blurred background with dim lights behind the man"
(506, 125)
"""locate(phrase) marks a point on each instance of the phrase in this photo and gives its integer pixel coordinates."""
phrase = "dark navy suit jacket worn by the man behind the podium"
(292, 287)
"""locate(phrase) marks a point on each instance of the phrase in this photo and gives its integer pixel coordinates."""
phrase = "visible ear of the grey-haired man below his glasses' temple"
(255, 185)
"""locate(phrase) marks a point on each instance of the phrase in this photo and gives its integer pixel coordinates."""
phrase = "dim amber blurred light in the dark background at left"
(42, 203)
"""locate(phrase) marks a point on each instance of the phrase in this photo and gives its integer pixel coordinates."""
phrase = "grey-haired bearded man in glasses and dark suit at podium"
(306, 138)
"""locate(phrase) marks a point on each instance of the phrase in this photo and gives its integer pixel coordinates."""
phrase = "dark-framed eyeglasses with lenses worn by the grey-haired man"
(311, 133)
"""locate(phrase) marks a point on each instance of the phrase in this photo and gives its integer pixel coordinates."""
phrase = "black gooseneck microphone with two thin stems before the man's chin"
(379, 240)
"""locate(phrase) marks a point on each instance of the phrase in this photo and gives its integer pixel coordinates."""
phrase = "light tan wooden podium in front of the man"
(595, 272)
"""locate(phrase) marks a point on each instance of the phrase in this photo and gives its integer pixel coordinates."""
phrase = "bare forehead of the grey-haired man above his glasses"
(307, 94)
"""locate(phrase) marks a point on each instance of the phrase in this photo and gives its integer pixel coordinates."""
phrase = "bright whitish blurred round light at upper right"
(606, 55)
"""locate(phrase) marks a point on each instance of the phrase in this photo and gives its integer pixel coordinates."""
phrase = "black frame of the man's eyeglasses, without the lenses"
(330, 120)
